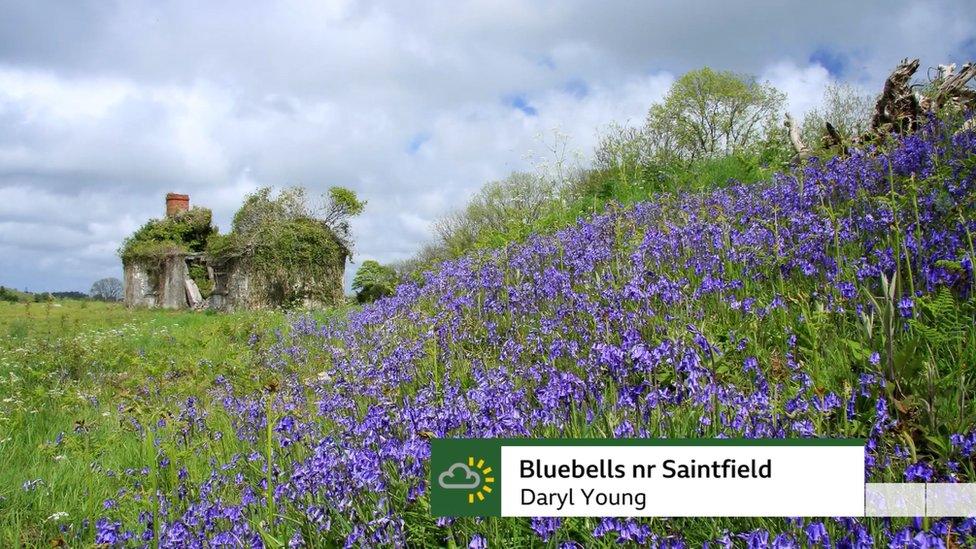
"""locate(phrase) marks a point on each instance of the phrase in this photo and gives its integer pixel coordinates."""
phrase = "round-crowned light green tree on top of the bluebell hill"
(710, 113)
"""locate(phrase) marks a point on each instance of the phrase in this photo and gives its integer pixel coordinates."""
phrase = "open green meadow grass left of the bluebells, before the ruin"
(71, 368)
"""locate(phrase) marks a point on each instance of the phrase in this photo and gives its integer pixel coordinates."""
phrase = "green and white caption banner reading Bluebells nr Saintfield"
(647, 477)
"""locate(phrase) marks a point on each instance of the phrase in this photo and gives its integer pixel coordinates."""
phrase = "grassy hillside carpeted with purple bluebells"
(834, 301)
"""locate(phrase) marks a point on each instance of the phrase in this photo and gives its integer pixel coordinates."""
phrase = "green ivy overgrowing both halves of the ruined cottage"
(293, 252)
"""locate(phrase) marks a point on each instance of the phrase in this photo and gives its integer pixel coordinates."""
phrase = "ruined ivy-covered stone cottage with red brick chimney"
(182, 262)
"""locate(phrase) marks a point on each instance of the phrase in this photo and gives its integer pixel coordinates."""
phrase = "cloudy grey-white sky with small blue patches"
(107, 106)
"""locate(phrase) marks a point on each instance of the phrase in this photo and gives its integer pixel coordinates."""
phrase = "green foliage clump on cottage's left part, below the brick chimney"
(184, 232)
